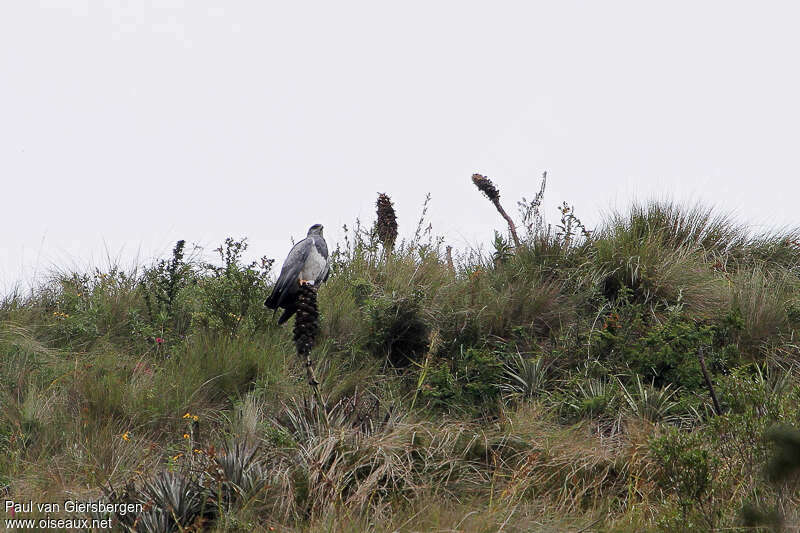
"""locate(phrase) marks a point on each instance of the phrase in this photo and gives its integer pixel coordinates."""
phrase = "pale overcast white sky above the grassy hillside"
(125, 126)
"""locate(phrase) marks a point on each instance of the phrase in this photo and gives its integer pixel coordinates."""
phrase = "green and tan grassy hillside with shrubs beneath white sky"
(554, 385)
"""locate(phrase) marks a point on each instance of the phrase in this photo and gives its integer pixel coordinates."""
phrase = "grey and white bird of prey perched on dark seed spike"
(307, 262)
